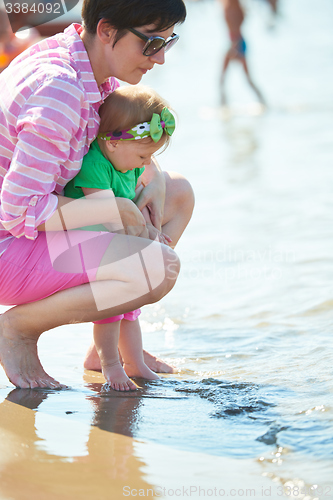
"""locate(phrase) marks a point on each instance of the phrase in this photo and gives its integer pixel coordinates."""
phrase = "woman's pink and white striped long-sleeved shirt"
(49, 103)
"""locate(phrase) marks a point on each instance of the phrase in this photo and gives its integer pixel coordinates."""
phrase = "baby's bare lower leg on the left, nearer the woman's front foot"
(106, 337)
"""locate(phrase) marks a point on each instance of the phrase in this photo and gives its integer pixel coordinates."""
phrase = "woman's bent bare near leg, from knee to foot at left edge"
(130, 275)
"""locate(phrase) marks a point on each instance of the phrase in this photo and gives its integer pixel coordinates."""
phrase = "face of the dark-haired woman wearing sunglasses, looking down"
(125, 60)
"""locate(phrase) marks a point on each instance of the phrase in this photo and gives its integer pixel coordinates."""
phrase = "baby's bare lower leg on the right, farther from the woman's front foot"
(130, 346)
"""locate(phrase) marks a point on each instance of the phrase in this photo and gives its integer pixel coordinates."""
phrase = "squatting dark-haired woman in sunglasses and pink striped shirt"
(50, 98)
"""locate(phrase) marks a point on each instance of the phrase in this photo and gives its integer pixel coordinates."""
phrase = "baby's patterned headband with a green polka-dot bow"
(153, 129)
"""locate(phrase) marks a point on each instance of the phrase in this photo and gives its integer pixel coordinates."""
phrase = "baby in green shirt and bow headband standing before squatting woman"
(135, 124)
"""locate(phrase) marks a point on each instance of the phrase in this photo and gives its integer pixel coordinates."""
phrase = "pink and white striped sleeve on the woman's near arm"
(46, 125)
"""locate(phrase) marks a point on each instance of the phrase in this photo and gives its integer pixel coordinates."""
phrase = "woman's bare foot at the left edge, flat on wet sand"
(19, 359)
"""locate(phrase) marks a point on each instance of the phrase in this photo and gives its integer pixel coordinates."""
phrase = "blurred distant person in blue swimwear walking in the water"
(234, 16)
